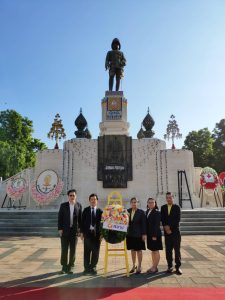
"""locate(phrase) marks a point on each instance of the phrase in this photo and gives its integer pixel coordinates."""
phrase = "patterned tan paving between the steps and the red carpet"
(34, 262)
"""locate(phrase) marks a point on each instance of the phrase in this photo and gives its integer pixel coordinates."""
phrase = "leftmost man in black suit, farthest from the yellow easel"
(69, 224)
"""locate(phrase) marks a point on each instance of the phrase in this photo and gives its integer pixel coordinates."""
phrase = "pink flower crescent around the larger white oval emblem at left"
(42, 198)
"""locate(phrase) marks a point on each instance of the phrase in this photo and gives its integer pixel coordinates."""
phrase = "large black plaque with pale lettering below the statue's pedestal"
(115, 160)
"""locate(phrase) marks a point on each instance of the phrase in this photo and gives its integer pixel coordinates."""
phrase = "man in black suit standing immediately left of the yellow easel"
(91, 220)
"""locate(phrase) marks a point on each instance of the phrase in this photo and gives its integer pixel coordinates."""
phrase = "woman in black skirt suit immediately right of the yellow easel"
(136, 234)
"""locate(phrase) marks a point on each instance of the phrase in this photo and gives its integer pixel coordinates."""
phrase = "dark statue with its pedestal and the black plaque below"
(114, 143)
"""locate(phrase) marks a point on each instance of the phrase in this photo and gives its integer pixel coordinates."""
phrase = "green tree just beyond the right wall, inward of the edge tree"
(201, 144)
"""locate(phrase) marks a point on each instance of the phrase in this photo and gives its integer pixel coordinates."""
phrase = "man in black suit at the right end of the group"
(170, 216)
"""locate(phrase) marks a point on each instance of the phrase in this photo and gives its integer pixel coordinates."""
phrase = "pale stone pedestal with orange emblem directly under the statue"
(114, 114)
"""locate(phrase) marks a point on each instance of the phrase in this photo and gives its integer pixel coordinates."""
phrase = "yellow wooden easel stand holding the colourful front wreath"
(115, 198)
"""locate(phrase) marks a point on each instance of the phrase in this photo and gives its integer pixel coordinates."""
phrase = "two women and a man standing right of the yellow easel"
(145, 227)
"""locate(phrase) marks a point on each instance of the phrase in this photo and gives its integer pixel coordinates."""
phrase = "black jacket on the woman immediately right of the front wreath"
(137, 227)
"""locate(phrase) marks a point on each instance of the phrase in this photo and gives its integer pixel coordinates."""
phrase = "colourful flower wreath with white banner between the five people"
(115, 220)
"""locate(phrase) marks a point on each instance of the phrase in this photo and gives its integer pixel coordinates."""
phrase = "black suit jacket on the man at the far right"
(173, 219)
